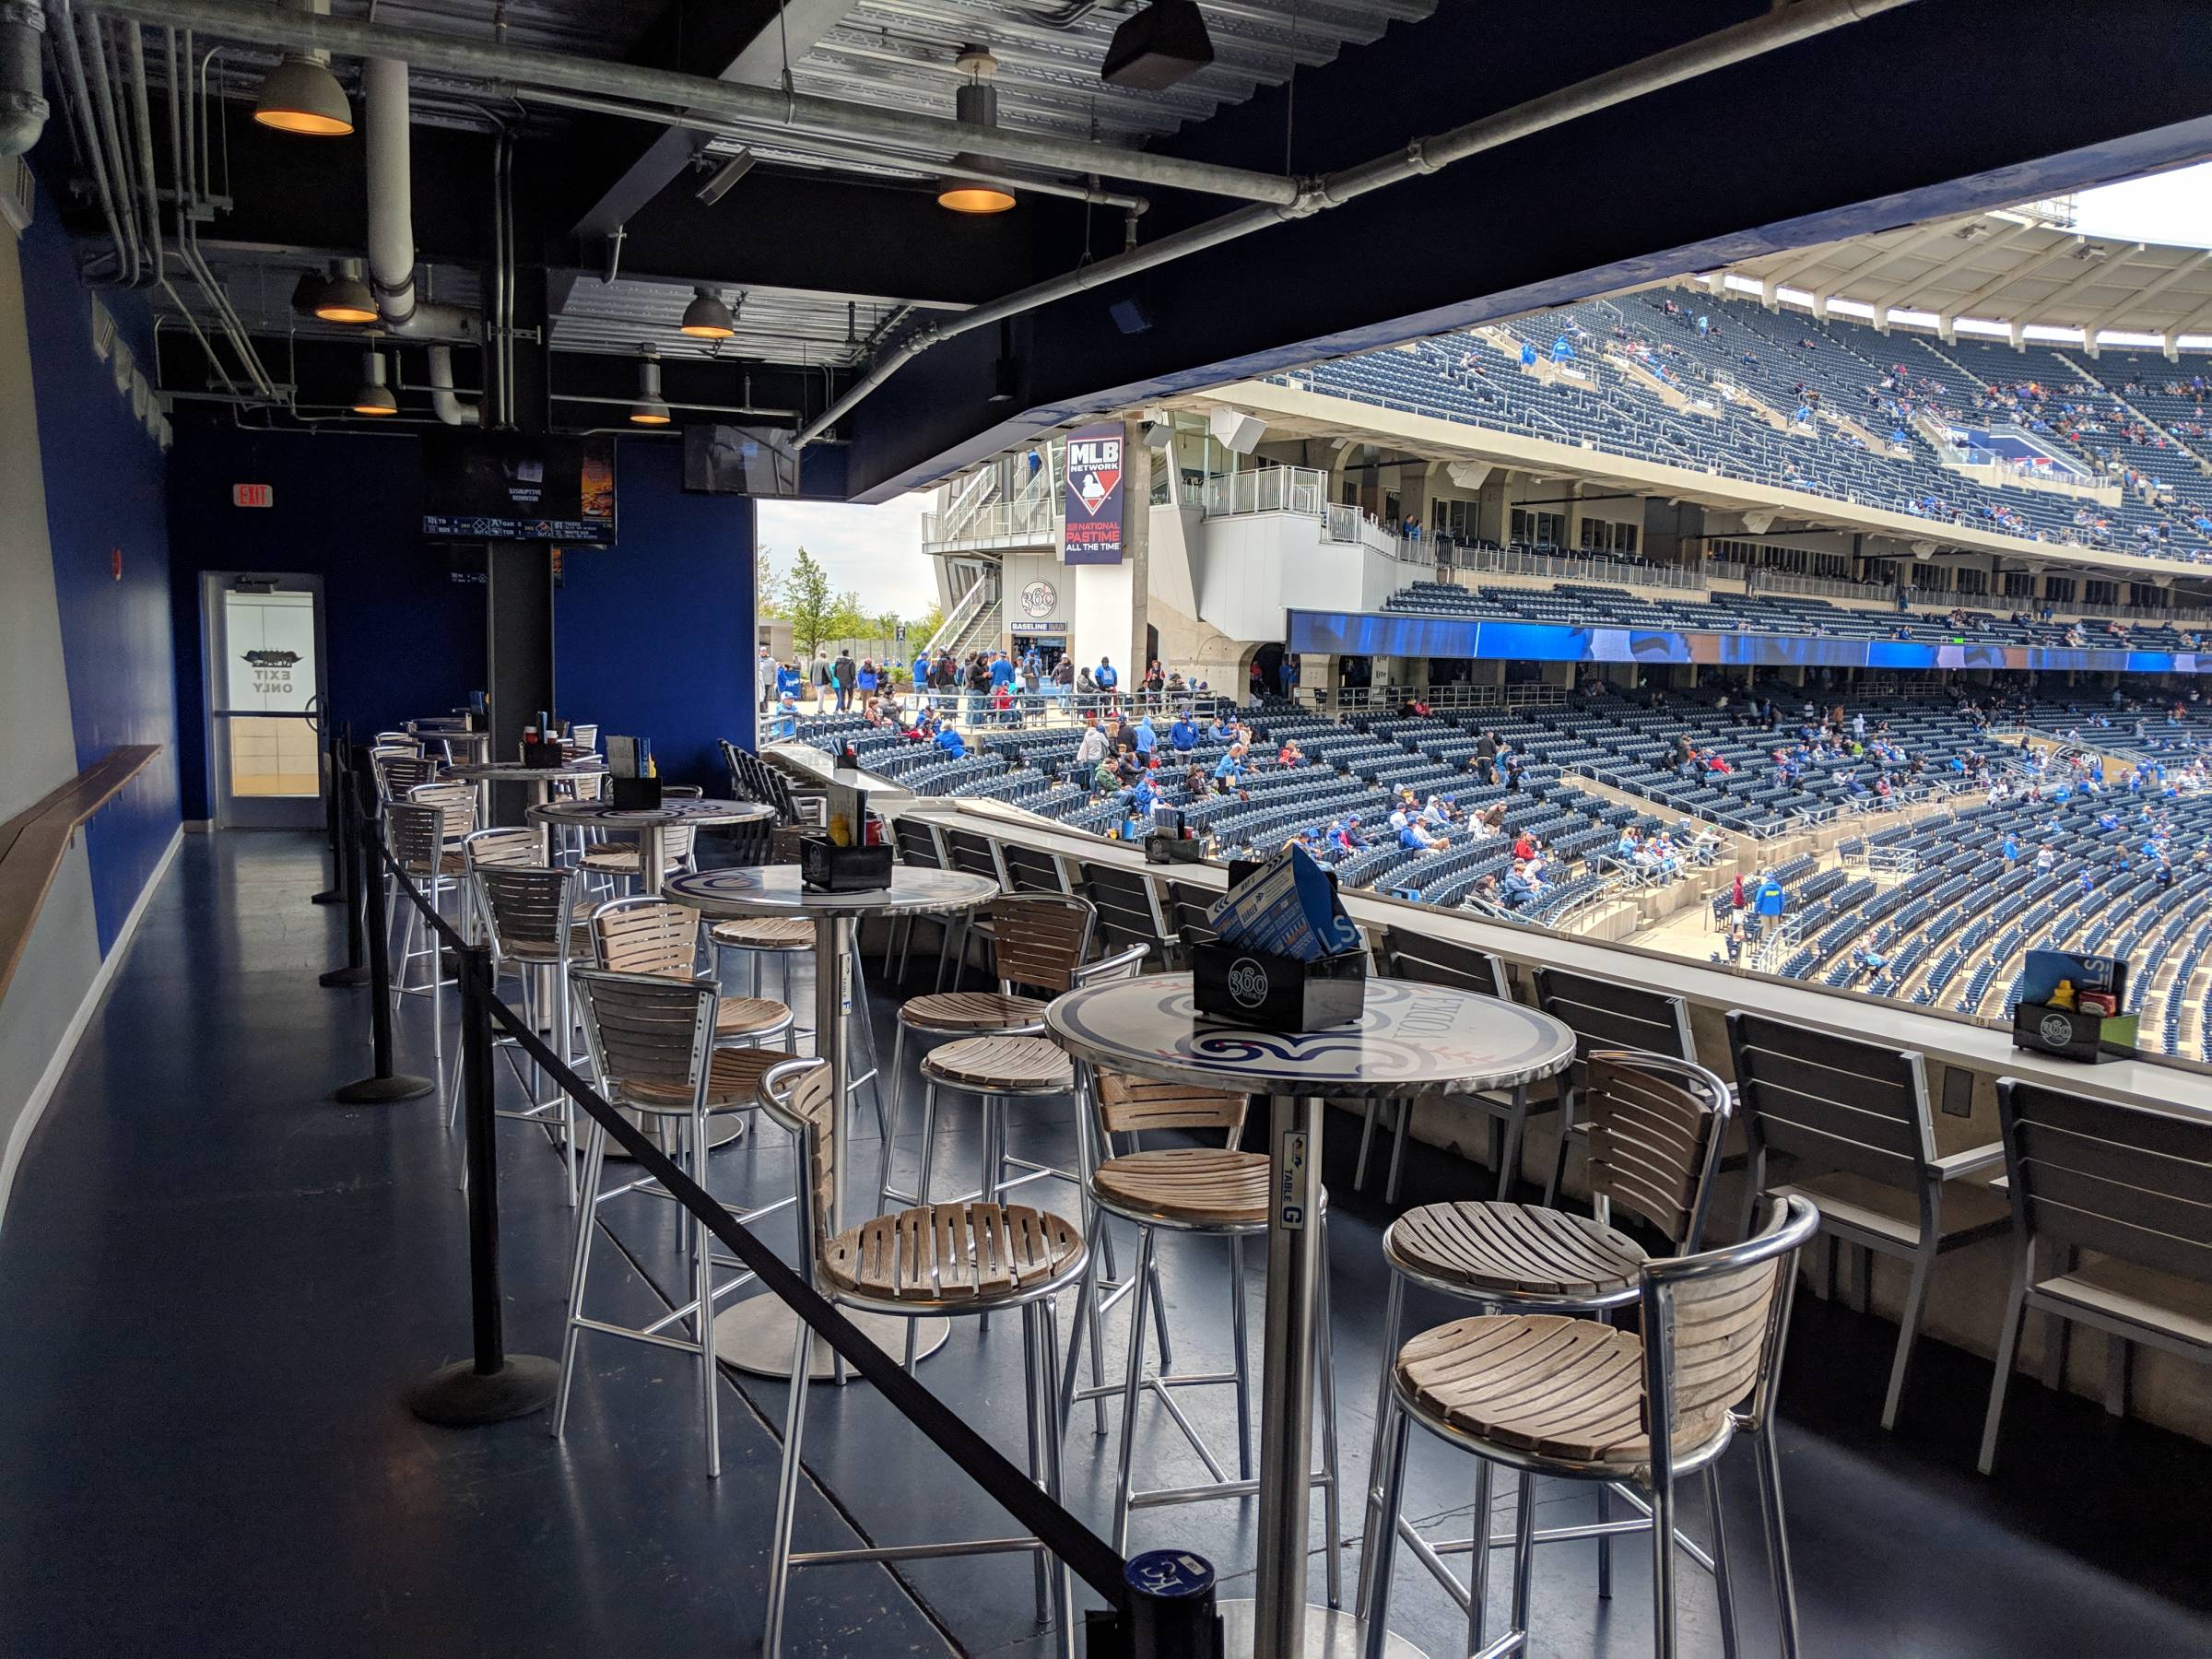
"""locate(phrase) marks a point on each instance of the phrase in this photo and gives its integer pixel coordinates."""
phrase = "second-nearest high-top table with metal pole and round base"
(758, 1333)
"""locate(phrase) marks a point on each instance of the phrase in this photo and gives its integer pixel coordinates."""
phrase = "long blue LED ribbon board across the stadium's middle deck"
(1335, 634)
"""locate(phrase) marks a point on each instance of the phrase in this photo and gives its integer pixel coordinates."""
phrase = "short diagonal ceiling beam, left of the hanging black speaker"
(735, 41)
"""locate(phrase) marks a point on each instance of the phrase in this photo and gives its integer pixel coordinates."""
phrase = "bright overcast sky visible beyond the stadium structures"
(879, 550)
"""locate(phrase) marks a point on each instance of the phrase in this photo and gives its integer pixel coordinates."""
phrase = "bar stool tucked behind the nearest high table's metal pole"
(1196, 1191)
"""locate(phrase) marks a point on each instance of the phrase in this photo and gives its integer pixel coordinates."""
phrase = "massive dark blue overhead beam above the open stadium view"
(1937, 109)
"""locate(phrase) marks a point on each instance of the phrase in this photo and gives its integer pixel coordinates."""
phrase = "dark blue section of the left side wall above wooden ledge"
(105, 494)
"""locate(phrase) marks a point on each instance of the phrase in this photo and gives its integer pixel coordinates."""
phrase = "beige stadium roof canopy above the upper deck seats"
(2018, 273)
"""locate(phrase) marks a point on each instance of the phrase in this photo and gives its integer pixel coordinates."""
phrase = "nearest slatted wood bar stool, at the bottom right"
(1574, 1399)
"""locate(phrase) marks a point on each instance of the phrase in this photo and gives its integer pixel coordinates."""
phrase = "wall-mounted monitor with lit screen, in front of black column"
(510, 488)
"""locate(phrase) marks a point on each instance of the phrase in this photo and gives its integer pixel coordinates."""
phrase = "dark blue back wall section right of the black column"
(654, 638)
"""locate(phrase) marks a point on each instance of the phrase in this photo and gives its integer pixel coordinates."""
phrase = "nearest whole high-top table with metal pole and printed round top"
(1412, 1041)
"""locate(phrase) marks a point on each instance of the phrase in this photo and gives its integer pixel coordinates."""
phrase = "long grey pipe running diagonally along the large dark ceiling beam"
(1702, 56)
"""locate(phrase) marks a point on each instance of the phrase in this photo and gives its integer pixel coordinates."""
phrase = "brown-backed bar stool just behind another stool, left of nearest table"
(1041, 946)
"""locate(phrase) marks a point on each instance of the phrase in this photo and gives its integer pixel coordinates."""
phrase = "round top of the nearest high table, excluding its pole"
(1412, 1041)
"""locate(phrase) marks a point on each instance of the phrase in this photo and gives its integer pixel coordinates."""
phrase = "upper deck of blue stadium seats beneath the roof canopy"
(1833, 408)
